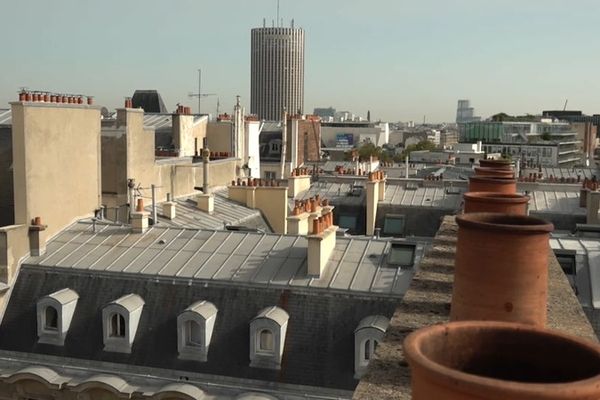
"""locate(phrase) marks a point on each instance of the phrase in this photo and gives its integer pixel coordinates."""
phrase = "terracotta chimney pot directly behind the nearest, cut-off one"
(501, 268)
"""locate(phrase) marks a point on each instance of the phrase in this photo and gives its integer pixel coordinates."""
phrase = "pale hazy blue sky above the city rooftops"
(402, 60)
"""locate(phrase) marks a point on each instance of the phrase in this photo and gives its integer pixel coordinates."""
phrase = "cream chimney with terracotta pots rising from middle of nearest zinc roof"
(321, 243)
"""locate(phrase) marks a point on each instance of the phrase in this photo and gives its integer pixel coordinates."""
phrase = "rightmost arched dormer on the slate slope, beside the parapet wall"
(367, 336)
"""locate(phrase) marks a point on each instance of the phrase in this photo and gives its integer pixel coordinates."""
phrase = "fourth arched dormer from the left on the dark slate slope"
(267, 337)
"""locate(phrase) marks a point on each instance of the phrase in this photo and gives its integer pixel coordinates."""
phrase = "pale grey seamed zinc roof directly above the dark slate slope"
(357, 265)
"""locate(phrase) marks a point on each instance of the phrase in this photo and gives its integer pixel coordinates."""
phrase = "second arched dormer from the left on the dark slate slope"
(120, 320)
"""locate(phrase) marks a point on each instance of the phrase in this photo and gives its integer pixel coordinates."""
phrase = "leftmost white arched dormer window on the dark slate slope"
(54, 314)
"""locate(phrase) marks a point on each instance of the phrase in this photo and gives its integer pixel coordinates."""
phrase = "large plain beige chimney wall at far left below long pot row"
(56, 163)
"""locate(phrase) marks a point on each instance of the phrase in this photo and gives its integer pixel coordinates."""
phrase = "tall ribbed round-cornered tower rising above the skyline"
(277, 72)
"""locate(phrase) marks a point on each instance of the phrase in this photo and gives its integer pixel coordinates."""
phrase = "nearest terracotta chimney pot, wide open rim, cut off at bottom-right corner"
(477, 360)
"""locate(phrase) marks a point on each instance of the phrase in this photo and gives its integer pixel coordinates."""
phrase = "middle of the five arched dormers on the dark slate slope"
(194, 330)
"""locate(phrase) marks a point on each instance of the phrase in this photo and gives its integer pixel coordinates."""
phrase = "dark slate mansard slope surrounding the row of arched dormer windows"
(319, 345)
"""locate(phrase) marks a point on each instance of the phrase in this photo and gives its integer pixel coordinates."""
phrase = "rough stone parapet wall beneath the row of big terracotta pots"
(427, 302)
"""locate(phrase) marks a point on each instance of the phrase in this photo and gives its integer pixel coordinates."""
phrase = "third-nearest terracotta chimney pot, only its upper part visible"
(495, 202)
